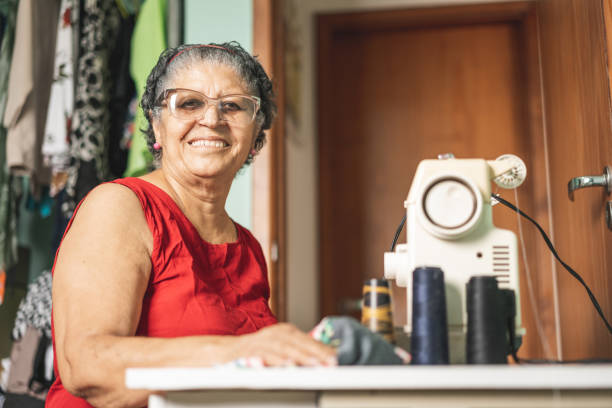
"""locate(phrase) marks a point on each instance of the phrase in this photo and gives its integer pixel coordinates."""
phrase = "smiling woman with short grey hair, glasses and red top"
(152, 271)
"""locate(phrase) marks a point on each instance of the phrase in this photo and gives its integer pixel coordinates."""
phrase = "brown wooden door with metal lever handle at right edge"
(577, 99)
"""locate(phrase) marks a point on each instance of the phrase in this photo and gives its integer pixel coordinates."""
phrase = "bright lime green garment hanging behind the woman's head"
(148, 42)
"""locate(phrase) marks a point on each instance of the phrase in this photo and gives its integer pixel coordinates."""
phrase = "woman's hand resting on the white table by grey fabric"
(284, 345)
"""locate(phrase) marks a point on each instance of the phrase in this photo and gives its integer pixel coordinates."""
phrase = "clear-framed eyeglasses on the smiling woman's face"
(189, 105)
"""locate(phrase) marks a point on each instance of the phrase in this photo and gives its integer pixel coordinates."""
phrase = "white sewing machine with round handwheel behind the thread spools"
(450, 225)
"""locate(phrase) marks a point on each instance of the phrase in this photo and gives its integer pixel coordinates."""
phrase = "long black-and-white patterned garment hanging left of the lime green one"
(99, 26)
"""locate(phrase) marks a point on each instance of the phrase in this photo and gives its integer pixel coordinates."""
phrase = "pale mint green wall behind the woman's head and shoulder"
(222, 21)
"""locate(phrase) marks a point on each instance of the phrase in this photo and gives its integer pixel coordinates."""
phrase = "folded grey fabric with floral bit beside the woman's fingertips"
(356, 344)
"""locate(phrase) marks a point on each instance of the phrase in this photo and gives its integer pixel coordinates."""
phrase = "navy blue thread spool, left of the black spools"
(429, 340)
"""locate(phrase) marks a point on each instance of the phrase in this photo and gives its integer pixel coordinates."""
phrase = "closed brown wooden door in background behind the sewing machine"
(396, 87)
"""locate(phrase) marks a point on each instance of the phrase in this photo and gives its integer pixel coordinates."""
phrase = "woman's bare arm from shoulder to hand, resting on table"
(100, 278)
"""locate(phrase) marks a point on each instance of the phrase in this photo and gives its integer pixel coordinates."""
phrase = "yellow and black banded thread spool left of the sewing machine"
(376, 312)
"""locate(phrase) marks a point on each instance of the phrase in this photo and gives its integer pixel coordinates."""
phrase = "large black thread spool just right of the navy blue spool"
(486, 333)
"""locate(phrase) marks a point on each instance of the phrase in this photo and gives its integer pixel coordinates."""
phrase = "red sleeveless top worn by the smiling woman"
(195, 288)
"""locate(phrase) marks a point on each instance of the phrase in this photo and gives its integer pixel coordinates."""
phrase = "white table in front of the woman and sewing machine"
(558, 386)
